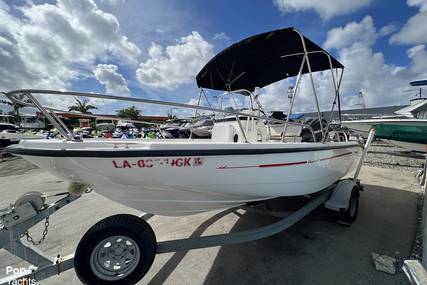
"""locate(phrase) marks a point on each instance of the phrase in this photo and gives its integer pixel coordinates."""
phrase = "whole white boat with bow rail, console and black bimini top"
(239, 164)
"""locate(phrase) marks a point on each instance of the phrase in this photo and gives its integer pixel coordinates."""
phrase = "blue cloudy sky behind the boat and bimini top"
(154, 49)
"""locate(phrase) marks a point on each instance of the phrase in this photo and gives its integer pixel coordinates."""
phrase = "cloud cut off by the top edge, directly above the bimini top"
(326, 9)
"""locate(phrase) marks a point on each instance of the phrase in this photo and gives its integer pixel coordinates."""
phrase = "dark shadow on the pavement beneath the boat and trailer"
(316, 250)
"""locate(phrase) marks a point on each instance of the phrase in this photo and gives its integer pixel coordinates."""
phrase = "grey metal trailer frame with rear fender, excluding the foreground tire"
(31, 209)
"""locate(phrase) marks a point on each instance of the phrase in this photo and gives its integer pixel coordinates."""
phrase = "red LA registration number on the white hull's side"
(155, 162)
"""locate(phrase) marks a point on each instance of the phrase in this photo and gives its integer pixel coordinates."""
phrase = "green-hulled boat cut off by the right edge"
(407, 129)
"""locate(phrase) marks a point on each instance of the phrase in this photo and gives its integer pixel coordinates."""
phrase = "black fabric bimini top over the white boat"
(261, 60)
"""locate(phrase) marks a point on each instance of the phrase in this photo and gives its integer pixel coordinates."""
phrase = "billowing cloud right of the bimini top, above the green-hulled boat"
(367, 70)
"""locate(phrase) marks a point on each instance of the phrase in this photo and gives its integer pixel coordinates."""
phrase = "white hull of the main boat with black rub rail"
(185, 184)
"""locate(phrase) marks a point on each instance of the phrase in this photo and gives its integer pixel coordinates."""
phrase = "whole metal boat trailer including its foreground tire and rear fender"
(31, 209)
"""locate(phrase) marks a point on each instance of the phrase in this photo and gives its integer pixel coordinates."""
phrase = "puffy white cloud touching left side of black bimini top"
(175, 65)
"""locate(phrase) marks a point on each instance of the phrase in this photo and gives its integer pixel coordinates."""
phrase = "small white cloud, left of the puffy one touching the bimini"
(114, 82)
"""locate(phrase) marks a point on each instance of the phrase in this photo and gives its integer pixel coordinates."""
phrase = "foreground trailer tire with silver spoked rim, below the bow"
(119, 249)
